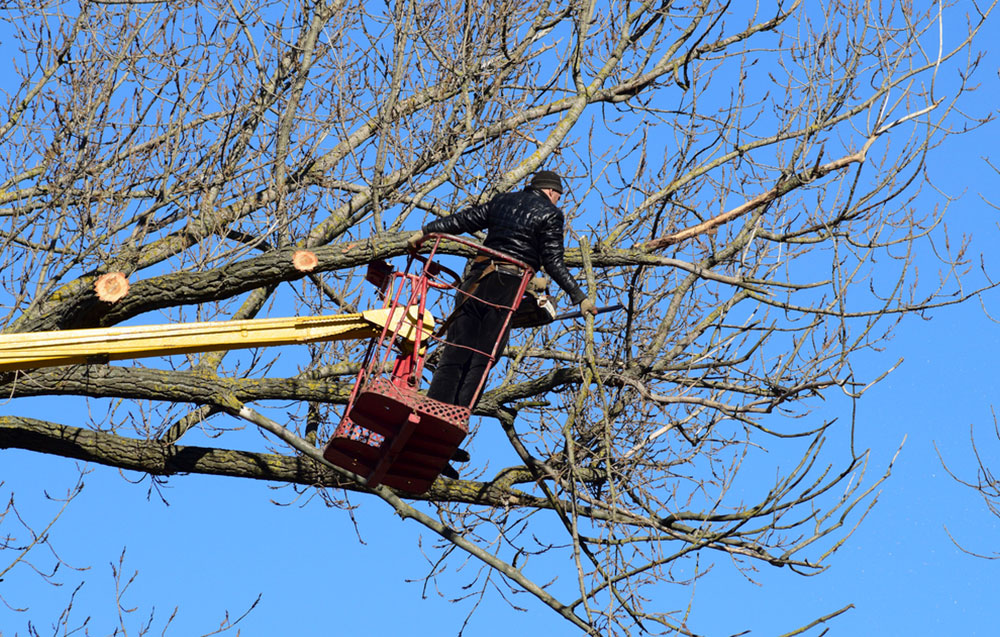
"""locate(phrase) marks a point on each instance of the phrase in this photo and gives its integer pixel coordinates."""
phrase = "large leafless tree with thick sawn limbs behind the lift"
(742, 181)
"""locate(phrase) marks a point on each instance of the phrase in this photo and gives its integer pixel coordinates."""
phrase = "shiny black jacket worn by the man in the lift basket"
(525, 225)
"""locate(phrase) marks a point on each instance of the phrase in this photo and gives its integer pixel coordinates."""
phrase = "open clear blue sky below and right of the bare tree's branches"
(221, 542)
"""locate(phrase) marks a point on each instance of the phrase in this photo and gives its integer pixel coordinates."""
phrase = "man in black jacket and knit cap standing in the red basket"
(527, 225)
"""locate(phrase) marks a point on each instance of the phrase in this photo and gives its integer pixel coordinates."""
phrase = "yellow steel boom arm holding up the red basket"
(99, 345)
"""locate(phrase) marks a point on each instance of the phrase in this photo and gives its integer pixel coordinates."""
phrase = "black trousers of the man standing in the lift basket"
(474, 326)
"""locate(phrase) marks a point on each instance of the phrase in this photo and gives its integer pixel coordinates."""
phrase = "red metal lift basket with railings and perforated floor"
(391, 434)
